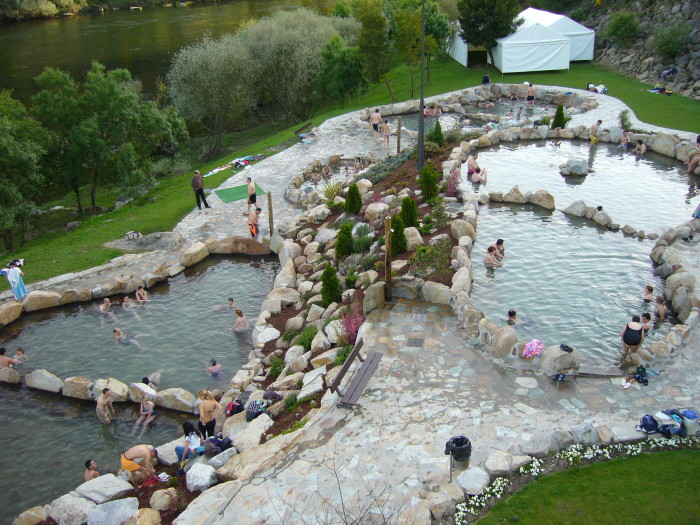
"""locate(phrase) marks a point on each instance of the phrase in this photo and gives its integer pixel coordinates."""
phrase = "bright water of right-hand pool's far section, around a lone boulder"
(652, 193)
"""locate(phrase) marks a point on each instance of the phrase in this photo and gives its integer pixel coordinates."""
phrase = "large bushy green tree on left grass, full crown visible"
(112, 132)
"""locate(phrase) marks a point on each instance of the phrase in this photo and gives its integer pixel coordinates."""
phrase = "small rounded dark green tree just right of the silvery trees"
(341, 72)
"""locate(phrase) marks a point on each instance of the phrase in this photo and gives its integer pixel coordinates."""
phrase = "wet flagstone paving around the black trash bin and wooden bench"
(431, 385)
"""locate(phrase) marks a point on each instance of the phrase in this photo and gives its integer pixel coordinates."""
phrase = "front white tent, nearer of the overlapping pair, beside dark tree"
(532, 48)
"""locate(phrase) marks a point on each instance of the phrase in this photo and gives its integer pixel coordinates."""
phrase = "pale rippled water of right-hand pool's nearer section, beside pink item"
(570, 282)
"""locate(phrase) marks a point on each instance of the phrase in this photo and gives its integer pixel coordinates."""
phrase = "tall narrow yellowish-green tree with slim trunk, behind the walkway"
(373, 42)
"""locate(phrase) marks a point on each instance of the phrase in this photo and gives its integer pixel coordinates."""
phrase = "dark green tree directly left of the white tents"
(483, 22)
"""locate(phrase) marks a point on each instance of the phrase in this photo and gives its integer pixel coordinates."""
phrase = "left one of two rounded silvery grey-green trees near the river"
(210, 85)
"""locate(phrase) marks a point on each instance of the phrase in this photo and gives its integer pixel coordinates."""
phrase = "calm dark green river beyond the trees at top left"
(141, 41)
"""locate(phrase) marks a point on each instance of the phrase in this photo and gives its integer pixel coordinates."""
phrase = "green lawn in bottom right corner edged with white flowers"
(661, 487)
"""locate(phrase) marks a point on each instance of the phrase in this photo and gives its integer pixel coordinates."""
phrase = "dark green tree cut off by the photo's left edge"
(23, 143)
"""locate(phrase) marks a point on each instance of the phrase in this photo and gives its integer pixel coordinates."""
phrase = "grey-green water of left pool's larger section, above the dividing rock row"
(183, 327)
